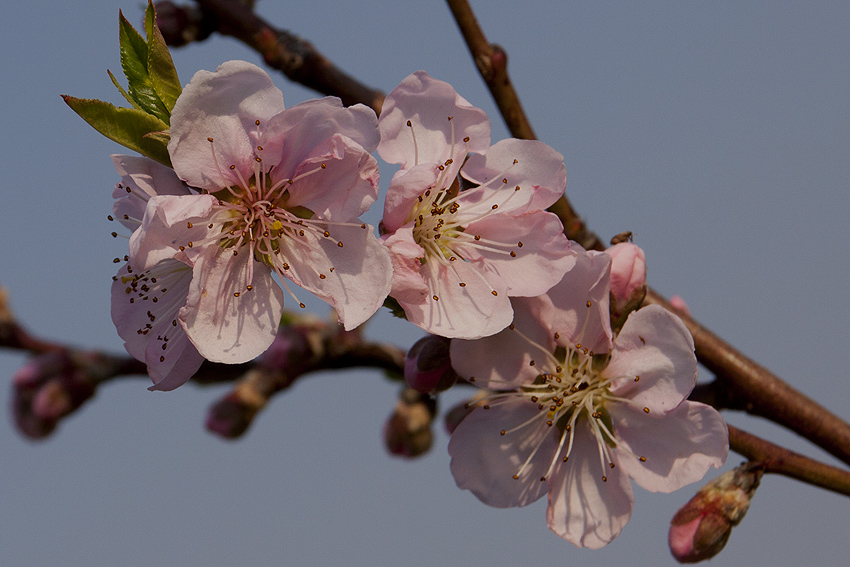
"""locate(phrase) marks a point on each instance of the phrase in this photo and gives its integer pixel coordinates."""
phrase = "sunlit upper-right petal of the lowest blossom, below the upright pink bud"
(655, 346)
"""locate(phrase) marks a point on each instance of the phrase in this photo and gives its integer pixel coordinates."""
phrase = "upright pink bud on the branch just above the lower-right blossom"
(628, 281)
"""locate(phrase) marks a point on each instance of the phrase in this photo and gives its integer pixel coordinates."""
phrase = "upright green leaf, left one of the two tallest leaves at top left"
(134, 61)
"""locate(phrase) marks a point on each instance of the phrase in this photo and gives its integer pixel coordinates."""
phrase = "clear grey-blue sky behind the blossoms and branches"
(719, 133)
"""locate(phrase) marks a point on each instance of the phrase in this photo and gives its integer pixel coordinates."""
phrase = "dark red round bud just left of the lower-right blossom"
(428, 366)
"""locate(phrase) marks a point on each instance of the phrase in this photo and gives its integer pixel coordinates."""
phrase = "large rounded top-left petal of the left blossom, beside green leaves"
(223, 105)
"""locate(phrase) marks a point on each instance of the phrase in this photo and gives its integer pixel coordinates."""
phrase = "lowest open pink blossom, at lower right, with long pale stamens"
(578, 412)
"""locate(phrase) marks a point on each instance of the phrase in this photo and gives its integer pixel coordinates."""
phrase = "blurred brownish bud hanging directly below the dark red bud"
(407, 432)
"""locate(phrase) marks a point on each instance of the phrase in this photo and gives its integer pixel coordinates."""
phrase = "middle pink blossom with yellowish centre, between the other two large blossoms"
(461, 248)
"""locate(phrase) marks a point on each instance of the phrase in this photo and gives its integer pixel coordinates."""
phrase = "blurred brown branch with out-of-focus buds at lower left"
(60, 379)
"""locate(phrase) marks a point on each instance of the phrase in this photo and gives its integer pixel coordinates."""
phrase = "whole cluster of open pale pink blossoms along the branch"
(260, 195)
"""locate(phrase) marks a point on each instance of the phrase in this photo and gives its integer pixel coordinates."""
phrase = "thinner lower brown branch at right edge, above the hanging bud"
(779, 460)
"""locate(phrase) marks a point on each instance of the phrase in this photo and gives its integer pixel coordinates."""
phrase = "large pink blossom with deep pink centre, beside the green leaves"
(275, 192)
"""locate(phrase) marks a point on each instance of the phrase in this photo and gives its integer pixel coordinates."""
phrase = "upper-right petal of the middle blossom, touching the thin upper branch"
(539, 172)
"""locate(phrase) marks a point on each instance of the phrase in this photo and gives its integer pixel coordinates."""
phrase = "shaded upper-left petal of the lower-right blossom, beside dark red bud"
(503, 360)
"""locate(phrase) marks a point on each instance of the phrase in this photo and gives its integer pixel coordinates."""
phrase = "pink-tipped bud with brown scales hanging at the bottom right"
(701, 528)
